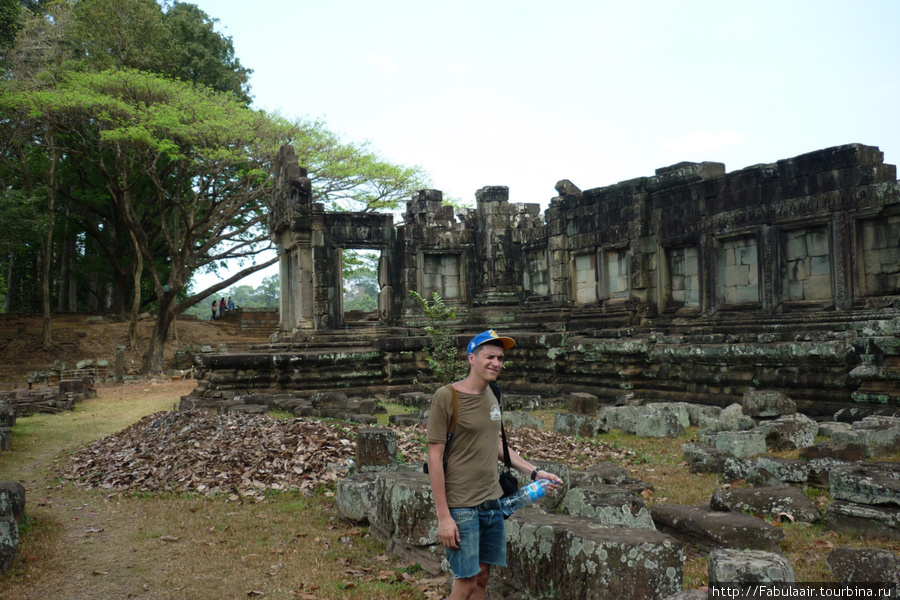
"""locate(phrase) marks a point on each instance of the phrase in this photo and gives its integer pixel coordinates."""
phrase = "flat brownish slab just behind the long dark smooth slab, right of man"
(767, 501)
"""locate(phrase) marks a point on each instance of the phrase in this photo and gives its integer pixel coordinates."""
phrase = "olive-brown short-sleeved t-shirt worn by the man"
(471, 476)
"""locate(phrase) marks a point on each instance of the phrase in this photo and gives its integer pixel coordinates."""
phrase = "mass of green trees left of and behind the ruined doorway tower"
(128, 145)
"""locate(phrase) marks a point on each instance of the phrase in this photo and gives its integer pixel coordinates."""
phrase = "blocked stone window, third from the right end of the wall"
(737, 271)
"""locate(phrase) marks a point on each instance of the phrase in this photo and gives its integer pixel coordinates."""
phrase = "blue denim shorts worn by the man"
(482, 539)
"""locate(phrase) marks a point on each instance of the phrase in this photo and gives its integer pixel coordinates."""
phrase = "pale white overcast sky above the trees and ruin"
(525, 93)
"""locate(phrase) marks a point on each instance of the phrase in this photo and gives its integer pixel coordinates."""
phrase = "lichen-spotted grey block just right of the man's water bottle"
(608, 504)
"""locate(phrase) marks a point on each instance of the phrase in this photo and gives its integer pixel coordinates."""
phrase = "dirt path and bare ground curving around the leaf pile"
(97, 545)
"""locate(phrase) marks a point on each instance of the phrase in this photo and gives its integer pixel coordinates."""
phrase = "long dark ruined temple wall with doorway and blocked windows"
(691, 285)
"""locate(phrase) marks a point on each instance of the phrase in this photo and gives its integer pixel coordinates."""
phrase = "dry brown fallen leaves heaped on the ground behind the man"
(239, 456)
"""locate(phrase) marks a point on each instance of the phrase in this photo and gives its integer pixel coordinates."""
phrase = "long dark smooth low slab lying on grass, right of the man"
(707, 529)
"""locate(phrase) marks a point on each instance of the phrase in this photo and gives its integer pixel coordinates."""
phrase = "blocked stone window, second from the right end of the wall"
(806, 264)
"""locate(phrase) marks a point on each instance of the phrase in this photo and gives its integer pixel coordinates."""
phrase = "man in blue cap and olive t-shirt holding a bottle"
(470, 524)
